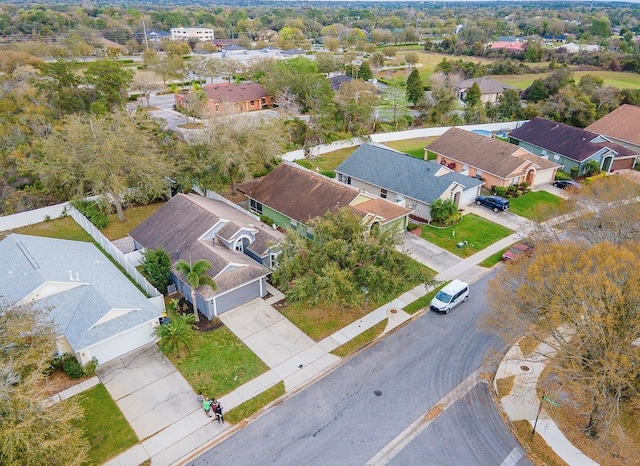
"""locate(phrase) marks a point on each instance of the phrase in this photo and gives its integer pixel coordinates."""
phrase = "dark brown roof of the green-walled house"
(302, 195)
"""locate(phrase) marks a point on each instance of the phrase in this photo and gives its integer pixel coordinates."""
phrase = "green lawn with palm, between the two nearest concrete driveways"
(217, 363)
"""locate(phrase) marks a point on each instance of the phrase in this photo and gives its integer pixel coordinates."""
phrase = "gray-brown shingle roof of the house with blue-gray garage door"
(183, 227)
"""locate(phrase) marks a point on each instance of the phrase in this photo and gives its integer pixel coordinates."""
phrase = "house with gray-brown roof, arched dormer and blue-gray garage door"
(239, 247)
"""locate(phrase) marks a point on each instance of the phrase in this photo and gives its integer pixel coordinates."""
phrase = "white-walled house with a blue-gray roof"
(404, 180)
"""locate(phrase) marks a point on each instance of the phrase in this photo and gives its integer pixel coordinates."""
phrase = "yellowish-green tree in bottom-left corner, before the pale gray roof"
(32, 432)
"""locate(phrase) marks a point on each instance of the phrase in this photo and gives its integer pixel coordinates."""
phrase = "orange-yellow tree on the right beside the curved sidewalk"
(585, 302)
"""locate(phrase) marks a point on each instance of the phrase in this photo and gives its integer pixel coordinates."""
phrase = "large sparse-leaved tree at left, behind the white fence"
(114, 154)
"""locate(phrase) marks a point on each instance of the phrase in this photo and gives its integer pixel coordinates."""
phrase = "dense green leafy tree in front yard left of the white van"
(343, 264)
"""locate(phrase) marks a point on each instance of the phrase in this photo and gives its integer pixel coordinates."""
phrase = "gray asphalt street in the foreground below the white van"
(387, 399)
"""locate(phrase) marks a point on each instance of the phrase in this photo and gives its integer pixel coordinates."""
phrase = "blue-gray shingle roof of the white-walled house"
(401, 173)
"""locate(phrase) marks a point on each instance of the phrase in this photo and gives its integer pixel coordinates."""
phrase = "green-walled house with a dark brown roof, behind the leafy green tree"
(291, 196)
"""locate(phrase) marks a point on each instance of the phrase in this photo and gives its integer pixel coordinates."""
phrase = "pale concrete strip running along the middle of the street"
(415, 428)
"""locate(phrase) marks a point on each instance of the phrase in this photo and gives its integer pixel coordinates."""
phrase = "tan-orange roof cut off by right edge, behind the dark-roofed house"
(621, 126)
